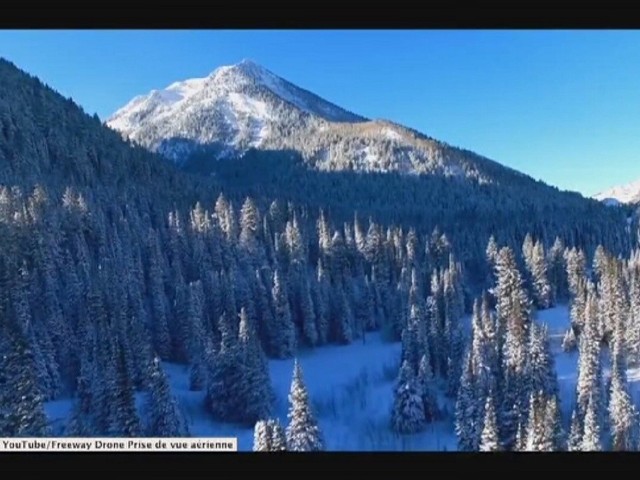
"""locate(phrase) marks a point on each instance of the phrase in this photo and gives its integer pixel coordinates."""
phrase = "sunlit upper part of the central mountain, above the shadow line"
(245, 106)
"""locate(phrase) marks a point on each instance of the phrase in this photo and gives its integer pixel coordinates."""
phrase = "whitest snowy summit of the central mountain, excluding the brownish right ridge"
(238, 107)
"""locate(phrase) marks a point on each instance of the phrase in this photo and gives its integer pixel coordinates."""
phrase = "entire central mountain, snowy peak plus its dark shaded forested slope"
(288, 144)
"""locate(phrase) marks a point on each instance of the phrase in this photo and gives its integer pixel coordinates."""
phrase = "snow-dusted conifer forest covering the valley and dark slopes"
(113, 261)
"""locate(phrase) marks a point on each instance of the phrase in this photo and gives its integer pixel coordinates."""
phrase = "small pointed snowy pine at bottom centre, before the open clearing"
(303, 433)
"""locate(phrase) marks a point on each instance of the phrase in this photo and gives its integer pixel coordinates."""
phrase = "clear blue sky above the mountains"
(562, 106)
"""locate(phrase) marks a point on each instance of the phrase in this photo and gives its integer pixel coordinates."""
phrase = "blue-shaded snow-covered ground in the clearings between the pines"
(352, 391)
